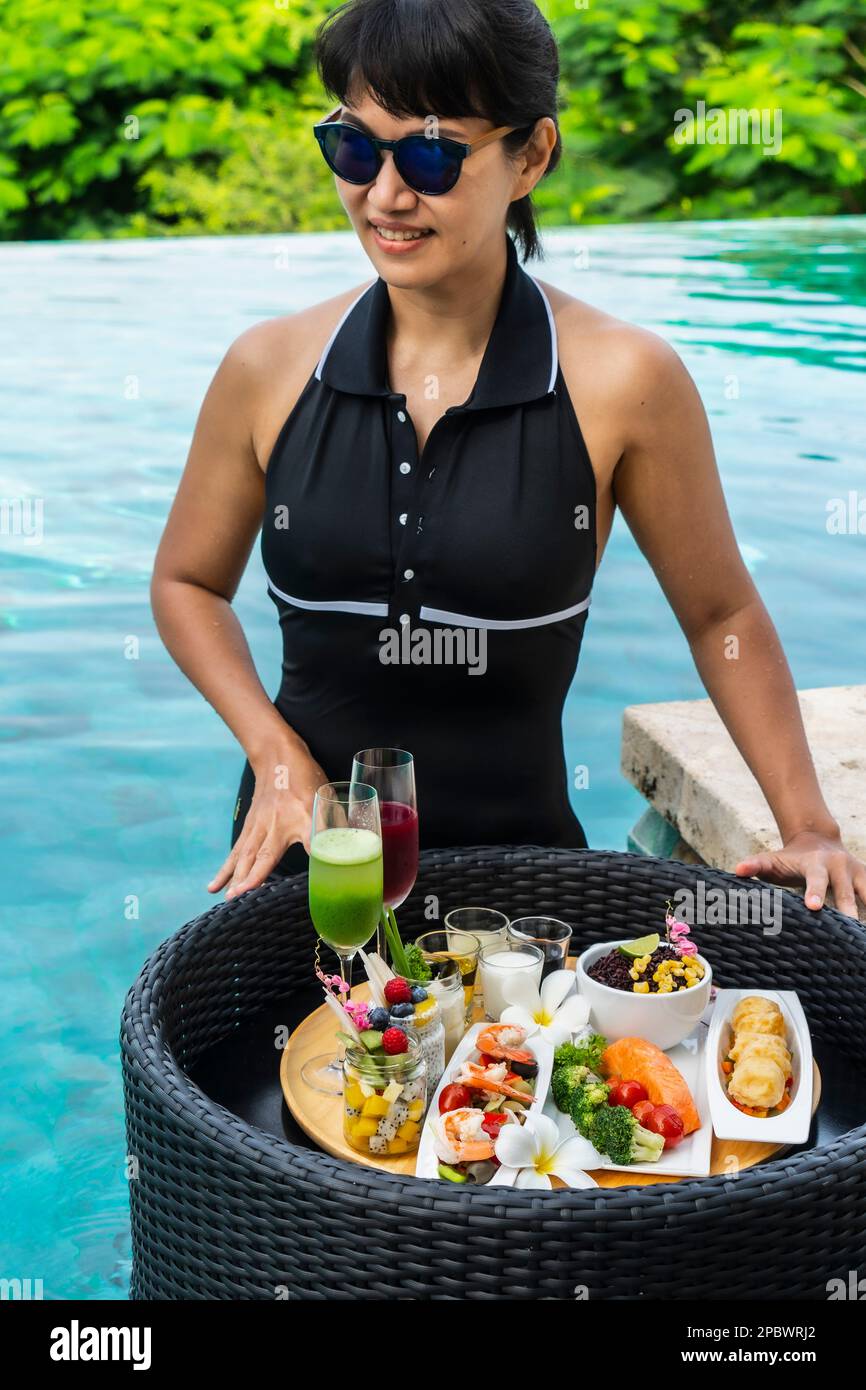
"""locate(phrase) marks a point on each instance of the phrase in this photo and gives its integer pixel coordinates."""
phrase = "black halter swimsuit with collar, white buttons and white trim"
(477, 554)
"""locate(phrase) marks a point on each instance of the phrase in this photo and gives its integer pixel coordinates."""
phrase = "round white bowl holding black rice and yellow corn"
(664, 1020)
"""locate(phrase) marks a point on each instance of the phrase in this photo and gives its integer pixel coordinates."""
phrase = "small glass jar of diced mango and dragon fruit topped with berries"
(384, 1100)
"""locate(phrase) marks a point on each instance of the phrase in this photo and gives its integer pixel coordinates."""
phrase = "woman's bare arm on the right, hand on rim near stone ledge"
(668, 487)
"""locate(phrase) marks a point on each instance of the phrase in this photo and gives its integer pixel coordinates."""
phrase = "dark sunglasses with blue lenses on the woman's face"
(427, 165)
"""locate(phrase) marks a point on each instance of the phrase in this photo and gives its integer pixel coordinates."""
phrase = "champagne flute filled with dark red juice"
(393, 772)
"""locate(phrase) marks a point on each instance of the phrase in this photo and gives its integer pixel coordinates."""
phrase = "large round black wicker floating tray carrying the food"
(233, 1207)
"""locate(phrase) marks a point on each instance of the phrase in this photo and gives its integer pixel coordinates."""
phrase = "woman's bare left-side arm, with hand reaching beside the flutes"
(202, 557)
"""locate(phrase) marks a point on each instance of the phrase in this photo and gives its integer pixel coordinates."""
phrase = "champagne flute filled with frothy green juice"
(345, 888)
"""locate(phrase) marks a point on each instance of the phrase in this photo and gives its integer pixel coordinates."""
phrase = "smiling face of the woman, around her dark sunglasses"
(458, 227)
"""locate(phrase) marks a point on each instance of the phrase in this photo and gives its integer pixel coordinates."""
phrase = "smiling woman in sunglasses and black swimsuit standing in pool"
(437, 458)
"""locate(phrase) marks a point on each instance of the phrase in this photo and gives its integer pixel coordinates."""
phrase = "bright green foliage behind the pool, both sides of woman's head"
(183, 117)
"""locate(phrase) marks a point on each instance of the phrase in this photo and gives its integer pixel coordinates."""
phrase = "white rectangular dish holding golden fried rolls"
(794, 1124)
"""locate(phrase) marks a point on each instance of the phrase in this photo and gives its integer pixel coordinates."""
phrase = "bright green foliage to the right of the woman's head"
(629, 69)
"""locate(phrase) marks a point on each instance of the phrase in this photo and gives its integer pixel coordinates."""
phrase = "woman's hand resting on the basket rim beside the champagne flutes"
(280, 815)
